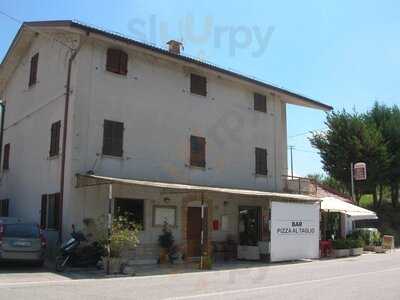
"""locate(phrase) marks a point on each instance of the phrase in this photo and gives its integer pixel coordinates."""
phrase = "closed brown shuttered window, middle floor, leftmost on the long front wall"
(113, 138)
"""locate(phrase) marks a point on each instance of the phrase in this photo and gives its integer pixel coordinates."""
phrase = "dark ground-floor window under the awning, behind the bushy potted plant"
(132, 209)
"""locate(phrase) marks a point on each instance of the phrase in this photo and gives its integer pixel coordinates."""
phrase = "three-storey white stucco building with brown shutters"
(144, 114)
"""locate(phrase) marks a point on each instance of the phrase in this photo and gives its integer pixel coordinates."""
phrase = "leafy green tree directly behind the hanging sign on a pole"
(350, 138)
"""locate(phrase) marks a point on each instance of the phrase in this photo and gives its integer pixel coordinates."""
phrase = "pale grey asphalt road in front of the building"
(371, 276)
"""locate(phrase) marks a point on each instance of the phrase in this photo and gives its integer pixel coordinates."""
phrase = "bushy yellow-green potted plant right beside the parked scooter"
(124, 235)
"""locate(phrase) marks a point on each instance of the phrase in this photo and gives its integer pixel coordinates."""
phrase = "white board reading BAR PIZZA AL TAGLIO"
(294, 230)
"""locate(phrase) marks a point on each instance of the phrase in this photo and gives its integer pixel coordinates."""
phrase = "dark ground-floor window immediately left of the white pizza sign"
(249, 225)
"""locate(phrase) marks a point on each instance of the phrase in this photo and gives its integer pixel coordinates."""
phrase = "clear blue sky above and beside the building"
(344, 53)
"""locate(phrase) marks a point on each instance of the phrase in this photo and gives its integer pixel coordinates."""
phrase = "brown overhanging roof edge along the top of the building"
(305, 101)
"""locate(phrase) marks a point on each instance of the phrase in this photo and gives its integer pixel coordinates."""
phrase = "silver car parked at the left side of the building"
(22, 242)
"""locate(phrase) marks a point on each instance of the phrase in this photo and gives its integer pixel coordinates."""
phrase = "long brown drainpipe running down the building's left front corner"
(64, 141)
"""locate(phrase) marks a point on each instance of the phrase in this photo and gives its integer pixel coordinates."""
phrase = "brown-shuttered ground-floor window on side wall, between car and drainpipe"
(50, 211)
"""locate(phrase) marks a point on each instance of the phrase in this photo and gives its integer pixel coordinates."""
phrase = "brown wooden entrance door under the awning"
(193, 234)
